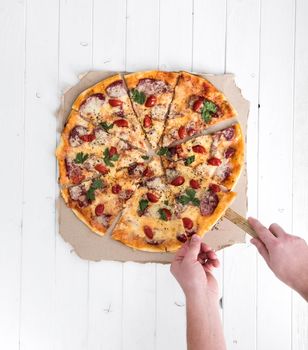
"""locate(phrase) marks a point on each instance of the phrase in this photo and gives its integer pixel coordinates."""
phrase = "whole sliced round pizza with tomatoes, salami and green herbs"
(135, 156)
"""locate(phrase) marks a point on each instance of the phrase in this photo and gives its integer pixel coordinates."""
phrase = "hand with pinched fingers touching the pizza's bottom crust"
(192, 268)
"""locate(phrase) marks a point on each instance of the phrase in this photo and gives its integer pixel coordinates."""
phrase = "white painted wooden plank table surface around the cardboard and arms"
(51, 299)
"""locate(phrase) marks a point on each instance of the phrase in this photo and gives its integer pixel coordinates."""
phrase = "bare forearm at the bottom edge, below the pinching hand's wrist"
(204, 328)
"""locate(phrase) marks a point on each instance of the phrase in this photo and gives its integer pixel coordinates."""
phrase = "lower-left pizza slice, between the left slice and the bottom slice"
(99, 201)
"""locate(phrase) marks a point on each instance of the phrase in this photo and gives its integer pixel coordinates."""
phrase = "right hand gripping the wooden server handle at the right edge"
(286, 255)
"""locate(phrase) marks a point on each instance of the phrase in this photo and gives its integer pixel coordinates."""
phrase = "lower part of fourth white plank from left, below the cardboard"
(105, 305)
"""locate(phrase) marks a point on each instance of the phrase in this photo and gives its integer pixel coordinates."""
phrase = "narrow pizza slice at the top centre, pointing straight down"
(151, 93)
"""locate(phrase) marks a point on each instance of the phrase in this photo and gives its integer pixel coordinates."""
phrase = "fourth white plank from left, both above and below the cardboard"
(106, 278)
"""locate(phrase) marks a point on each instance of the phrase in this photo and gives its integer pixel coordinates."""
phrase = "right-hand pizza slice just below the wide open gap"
(216, 157)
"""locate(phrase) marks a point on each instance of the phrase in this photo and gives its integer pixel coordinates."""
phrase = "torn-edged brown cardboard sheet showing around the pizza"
(88, 245)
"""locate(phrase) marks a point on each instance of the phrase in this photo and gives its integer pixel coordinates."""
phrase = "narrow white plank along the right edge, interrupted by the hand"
(300, 165)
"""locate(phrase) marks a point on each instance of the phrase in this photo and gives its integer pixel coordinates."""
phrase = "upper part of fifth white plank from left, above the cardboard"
(142, 49)
